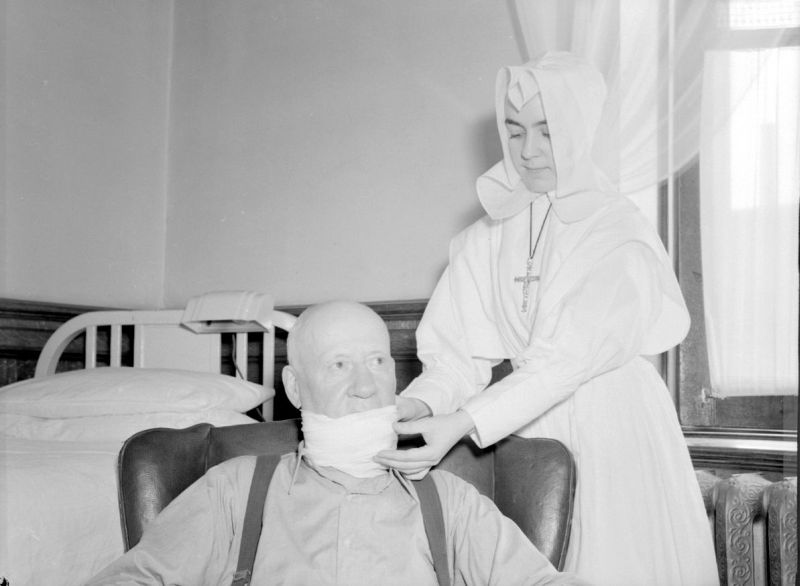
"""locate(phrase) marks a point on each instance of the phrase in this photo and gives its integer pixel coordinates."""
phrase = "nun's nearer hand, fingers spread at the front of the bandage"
(440, 434)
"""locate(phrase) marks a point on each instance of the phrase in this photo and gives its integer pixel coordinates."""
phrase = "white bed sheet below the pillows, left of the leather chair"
(59, 509)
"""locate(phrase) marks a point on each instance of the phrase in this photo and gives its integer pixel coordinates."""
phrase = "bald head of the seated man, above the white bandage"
(339, 360)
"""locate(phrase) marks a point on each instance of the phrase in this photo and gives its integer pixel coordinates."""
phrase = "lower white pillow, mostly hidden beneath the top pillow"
(109, 428)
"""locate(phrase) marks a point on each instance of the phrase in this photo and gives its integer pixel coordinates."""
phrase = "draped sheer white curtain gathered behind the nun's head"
(635, 47)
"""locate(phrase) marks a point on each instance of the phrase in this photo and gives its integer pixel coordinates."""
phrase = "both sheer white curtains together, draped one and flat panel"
(662, 90)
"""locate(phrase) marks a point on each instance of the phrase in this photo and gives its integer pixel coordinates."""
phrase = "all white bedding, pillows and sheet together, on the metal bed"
(59, 441)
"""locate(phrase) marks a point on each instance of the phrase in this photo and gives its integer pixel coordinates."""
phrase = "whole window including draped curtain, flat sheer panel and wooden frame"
(700, 129)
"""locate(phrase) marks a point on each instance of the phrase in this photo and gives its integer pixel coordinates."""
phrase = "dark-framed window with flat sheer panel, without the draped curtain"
(736, 226)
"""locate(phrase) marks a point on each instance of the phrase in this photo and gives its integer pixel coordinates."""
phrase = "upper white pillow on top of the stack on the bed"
(117, 391)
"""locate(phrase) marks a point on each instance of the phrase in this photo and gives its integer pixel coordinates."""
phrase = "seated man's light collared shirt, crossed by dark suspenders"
(324, 527)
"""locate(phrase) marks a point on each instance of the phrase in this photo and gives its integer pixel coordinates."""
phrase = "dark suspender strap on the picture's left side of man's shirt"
(253, 516)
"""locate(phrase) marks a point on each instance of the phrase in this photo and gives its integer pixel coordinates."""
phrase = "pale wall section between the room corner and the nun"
(328, 149)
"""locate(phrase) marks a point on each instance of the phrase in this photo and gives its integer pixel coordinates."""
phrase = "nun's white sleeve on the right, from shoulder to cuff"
(599, 325)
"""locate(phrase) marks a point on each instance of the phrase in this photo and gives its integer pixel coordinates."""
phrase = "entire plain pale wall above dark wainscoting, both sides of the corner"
(313, 149)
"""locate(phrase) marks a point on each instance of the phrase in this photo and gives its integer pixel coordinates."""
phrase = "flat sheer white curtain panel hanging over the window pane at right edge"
(750, 186)
